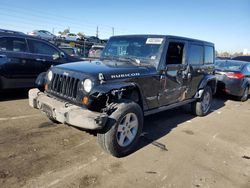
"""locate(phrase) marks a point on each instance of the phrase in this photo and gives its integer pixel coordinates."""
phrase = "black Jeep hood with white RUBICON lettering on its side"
(109, 69)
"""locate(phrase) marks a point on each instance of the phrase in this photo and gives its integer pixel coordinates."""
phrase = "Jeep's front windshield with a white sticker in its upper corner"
(139, 48)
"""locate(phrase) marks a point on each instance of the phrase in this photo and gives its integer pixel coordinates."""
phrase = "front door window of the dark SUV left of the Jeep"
(38, 47)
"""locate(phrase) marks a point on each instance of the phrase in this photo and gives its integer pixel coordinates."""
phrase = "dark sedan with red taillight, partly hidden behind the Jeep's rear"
(233, 78)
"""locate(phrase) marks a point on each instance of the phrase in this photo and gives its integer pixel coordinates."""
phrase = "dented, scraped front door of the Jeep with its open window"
(175, 78)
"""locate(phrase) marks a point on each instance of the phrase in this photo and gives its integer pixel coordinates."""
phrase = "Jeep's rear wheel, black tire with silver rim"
(198, 107)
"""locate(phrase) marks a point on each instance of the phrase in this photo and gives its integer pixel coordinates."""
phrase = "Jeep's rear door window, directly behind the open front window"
(195, 56)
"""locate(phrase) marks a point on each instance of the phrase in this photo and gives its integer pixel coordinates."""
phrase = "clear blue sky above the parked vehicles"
(226, 23)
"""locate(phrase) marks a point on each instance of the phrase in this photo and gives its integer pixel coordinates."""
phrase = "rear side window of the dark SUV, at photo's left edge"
(13, 44)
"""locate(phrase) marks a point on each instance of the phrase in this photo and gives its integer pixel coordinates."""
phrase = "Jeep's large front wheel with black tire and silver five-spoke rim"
(108, 139)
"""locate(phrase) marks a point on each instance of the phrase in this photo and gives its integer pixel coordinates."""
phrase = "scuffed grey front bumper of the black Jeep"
(65, 112)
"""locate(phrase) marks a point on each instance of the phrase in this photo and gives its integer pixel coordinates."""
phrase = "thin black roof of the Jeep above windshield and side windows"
(168, 37)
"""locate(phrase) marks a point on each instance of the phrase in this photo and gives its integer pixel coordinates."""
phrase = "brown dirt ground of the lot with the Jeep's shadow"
(176, 150)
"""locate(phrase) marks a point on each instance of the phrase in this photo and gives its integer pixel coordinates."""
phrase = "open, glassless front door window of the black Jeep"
(175, 53)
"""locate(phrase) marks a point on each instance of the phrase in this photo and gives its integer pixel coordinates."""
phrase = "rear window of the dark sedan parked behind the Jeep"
(228, 65)
